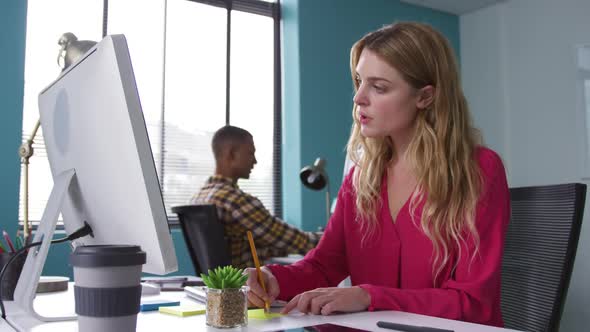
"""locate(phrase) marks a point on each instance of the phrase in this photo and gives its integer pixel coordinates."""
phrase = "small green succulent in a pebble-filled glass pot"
(227, 303)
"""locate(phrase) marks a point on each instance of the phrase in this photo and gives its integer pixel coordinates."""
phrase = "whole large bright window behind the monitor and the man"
(187, 85)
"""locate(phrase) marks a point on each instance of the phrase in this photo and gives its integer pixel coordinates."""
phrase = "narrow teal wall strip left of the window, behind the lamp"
(13, 15)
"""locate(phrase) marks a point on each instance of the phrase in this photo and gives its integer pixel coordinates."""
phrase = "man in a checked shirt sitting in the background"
(239, 212)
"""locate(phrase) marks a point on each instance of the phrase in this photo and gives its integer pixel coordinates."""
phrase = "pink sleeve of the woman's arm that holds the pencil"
(324, 266)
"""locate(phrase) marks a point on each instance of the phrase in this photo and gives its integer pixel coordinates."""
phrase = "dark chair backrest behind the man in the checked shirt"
(204, 236)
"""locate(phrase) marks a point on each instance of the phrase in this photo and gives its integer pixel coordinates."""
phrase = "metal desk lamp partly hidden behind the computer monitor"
(71, 50)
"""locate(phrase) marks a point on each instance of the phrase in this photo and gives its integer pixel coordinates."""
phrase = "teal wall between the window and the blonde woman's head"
(317, 88)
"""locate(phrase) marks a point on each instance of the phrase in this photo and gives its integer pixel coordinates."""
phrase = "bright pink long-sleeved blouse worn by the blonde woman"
(395, 264)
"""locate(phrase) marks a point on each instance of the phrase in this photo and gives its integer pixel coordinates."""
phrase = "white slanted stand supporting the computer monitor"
(20, 313)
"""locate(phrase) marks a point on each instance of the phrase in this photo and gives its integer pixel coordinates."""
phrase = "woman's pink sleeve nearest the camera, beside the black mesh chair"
(472, 293)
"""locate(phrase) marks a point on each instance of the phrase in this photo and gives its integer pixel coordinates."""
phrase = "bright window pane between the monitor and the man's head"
(195, 95)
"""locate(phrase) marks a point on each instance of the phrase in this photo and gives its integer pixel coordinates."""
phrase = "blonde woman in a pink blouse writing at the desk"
(421, 218)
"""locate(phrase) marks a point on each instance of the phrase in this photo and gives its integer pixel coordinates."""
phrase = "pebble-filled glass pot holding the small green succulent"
(227, 308)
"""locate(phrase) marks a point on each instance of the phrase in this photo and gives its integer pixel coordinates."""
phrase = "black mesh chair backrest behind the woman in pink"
(539, 254)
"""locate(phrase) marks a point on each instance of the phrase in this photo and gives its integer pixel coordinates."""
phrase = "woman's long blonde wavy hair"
(442, 150)
